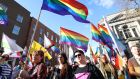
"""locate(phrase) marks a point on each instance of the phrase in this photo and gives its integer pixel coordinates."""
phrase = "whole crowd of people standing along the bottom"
(80, 69)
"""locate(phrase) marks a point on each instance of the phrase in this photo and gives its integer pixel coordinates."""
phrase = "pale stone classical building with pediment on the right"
(126, 26)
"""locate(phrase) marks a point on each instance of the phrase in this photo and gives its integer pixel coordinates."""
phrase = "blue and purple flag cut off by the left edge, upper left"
(3, 17)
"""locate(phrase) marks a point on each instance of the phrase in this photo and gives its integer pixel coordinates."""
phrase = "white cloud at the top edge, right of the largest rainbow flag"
(105, 3)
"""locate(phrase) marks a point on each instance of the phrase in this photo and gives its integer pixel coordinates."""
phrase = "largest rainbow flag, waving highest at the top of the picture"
(67, 7)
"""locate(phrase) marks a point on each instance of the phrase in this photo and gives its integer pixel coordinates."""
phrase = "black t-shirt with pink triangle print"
(88, 72)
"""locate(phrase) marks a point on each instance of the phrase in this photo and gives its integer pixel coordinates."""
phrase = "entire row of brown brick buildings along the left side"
(21, 27)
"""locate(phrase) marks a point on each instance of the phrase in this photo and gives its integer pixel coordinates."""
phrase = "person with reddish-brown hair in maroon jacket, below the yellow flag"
(38, 71)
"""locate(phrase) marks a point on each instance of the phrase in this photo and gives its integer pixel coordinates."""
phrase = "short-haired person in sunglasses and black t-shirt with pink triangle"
(85, 70)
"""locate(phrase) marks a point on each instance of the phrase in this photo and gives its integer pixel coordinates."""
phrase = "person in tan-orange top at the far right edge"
(134, 62)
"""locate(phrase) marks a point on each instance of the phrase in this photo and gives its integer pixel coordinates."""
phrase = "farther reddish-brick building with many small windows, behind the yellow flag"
(40, 31)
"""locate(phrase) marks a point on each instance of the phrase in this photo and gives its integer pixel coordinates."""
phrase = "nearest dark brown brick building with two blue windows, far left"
(18, 22)
